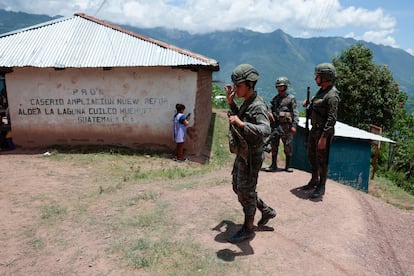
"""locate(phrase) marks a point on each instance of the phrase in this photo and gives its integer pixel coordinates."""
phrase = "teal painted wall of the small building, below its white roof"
(349, 159)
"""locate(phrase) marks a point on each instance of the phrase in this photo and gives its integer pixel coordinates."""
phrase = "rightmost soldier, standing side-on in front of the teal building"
(323, 110)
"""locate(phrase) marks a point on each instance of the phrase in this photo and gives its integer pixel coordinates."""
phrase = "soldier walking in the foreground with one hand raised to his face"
(252, 122)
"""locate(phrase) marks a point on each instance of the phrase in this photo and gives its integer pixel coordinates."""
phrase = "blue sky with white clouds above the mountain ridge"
(386, 22)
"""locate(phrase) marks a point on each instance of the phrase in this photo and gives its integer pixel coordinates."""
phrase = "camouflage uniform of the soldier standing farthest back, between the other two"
(285, 112)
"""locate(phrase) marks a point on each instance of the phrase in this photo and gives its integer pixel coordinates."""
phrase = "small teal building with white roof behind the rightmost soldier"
(349, 157)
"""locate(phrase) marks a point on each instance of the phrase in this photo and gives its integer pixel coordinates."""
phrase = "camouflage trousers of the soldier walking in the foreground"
(245, 175)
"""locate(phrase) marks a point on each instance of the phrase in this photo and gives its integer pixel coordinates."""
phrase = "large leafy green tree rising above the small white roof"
(369, 93)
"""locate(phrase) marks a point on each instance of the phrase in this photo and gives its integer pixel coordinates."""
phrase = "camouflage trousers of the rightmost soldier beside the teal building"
(318, 159)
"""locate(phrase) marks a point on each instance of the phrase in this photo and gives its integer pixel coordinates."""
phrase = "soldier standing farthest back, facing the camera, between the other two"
(284, 113)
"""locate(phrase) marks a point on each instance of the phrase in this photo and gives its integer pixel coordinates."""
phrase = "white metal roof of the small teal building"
(344, 130)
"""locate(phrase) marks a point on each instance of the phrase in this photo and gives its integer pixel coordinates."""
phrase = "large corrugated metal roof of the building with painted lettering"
(82, 41)
